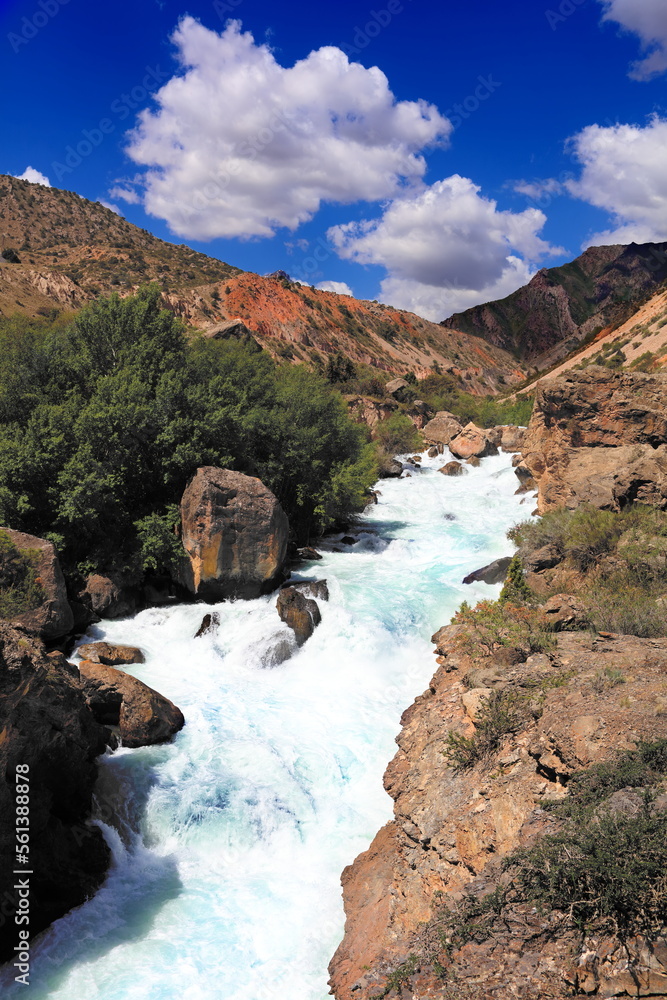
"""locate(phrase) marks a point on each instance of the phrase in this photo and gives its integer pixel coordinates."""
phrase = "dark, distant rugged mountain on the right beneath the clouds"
(544, 320)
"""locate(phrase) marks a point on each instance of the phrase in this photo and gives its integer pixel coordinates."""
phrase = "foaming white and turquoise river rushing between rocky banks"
(229, 842)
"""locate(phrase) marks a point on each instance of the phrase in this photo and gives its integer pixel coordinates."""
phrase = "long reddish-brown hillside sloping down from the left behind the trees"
(69, 250)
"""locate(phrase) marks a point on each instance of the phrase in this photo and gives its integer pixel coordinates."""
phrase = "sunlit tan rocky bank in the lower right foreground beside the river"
(452, 829)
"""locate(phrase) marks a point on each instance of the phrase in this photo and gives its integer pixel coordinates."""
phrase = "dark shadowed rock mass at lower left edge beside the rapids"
(46, 726)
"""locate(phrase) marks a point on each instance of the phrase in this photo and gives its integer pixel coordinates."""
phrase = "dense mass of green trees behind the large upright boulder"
(103, 420)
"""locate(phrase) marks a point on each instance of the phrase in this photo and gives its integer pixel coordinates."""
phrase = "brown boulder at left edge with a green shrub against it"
(49, 613)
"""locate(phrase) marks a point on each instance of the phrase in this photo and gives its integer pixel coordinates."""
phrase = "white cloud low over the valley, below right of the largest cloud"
(446, 247)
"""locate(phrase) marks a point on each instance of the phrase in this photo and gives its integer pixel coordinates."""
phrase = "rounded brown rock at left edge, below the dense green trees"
(52, 617)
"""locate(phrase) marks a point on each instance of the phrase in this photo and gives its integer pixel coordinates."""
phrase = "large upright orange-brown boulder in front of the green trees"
(234, 533)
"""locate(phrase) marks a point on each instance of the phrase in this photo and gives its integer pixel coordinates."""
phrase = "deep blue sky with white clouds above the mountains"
(431, 155)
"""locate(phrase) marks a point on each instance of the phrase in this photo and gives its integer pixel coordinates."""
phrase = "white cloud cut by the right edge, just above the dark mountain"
(624, 173)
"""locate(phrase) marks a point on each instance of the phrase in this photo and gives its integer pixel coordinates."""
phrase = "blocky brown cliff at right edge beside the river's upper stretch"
(598, 436)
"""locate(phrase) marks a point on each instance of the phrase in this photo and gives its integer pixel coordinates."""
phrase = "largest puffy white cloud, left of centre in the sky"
(241, 145)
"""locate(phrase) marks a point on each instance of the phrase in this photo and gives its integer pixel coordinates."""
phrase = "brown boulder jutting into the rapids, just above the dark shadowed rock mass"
(115, 698)
